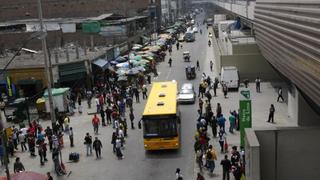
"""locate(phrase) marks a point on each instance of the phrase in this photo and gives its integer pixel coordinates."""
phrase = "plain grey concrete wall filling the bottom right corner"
(288, 153)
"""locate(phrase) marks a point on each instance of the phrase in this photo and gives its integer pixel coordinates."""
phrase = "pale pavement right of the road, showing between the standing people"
(260, 109)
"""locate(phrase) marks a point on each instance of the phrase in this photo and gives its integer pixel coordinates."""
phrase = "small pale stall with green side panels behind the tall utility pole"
(60, 99)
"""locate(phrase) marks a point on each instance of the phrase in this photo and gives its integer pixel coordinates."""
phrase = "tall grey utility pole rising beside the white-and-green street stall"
(45, 53)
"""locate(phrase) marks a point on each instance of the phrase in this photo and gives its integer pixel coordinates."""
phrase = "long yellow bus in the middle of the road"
(161, 117)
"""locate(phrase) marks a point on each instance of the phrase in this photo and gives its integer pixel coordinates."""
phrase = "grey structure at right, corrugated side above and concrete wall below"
(288, 35)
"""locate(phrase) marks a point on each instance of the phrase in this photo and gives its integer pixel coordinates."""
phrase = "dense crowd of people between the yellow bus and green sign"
(205, 149)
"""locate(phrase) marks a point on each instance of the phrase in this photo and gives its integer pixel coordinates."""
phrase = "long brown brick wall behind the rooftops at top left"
(26, 9)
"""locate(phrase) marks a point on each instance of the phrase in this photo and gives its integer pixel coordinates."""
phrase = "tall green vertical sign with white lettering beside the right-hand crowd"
(244, 114)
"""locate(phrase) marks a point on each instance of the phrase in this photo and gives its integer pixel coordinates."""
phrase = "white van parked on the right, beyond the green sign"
(230, 76)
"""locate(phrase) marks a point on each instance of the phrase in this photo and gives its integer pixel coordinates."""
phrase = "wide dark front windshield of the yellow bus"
(160, 127)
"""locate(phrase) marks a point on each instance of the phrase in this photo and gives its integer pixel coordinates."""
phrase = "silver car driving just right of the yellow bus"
(186, 93)
